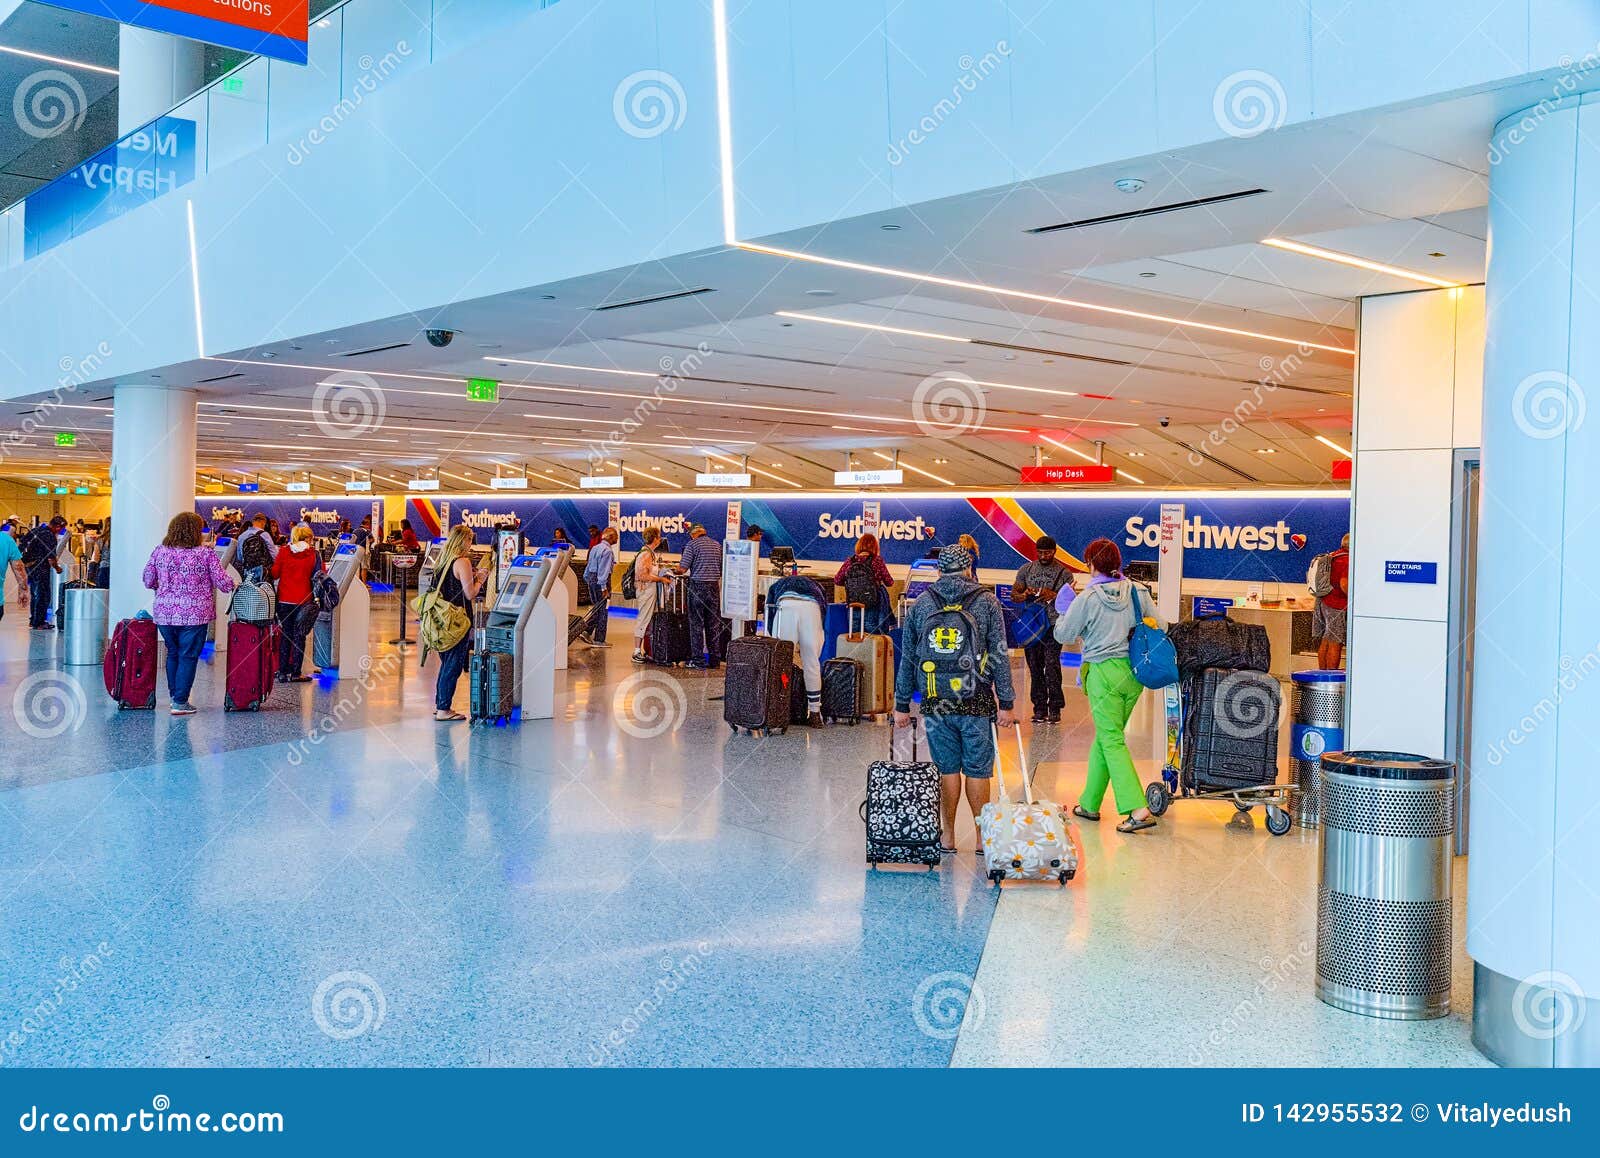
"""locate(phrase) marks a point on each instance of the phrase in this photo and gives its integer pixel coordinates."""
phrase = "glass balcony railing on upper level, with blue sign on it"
(356, 49)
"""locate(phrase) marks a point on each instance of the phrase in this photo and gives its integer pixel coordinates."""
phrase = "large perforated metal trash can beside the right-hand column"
(1385, 924)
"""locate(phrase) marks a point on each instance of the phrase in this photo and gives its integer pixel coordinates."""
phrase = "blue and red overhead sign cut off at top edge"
(266, 28)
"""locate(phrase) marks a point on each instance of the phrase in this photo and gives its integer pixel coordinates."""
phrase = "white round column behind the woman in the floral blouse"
(153, 477)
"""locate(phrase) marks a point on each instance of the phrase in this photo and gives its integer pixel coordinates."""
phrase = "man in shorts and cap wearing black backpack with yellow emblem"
(954, 657)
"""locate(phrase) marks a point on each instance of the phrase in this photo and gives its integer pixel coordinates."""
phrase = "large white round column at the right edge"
(1534, 877)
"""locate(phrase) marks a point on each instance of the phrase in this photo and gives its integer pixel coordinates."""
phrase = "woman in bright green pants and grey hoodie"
(1102, 618)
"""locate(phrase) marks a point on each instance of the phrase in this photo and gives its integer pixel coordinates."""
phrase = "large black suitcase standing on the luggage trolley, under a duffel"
(1231, 729)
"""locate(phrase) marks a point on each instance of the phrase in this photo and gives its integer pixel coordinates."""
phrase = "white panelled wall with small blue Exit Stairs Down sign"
(1418, 397)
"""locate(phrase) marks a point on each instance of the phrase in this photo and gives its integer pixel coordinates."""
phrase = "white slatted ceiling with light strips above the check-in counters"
(1188, 319)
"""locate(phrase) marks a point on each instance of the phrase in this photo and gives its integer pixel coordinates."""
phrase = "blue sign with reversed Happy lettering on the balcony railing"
(150, 162)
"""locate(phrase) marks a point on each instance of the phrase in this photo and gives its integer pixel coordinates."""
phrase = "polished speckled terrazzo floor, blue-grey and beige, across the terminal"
(342, 882)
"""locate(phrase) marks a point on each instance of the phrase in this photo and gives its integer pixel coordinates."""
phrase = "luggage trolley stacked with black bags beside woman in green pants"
(1230, 706)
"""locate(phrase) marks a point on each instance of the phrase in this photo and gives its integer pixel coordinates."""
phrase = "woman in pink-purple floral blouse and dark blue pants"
(183, 573)
